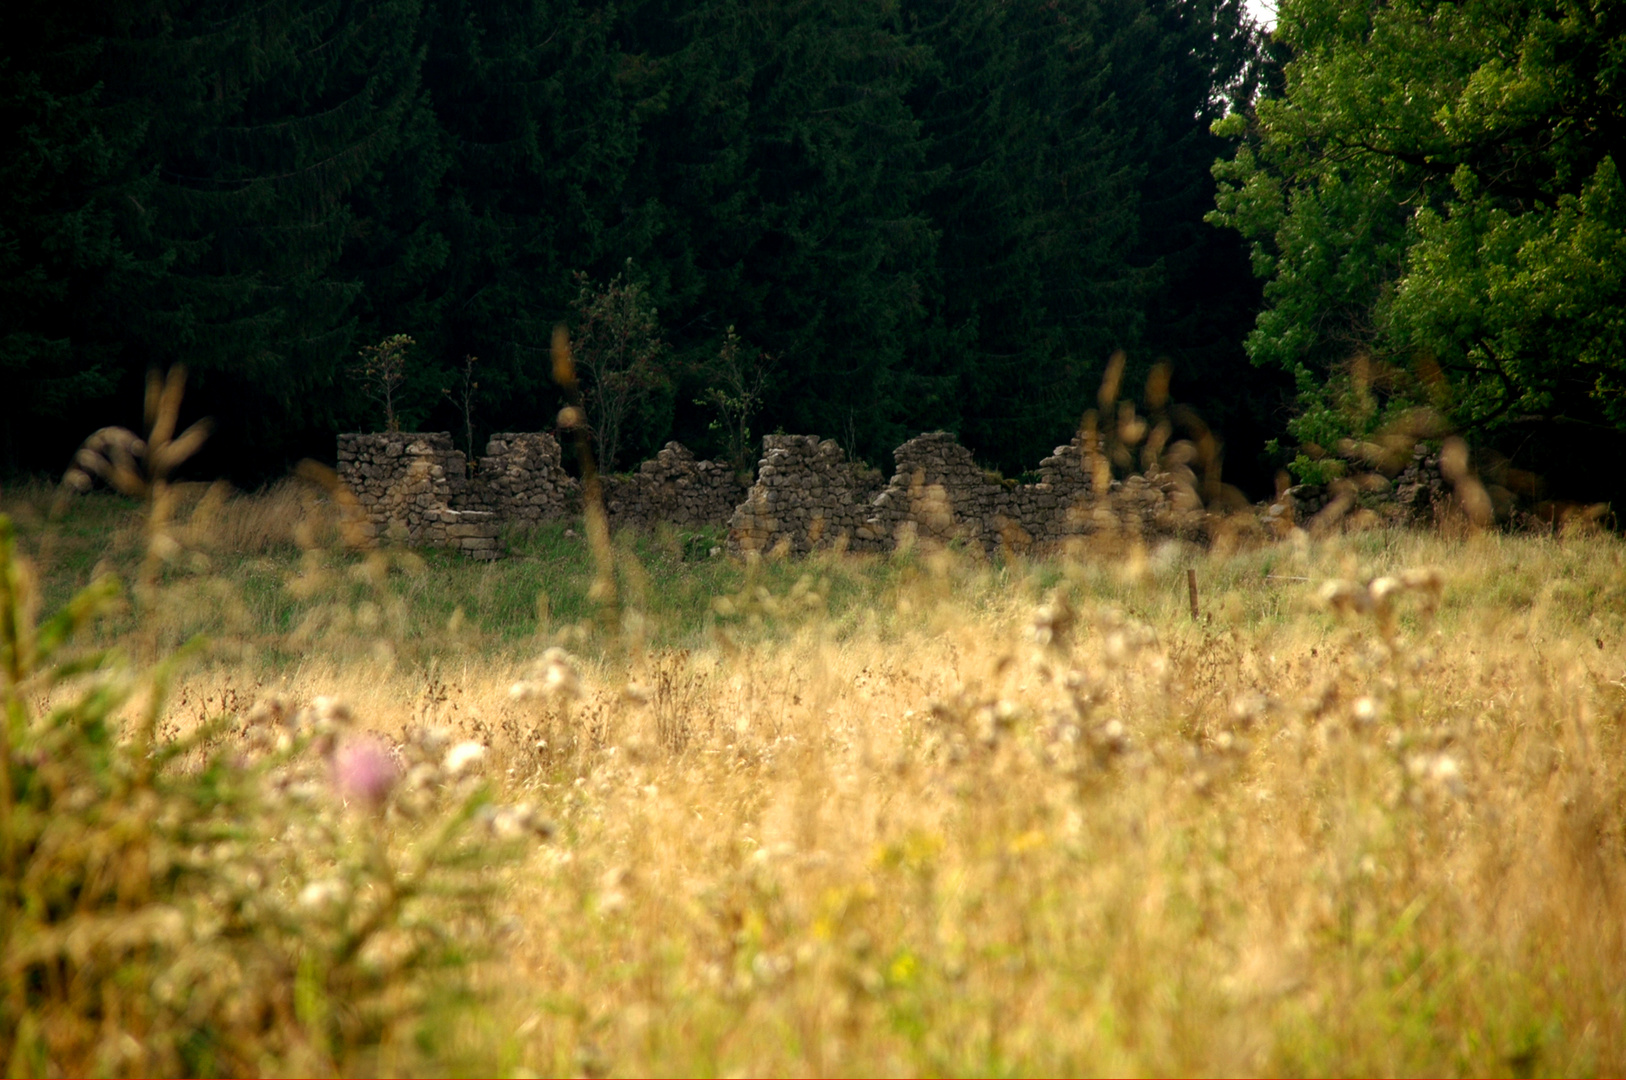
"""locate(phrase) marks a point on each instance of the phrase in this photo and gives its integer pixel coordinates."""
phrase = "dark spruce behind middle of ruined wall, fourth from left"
(788, 170)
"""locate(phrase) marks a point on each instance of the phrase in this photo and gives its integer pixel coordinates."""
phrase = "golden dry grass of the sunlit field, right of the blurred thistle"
(915, 837)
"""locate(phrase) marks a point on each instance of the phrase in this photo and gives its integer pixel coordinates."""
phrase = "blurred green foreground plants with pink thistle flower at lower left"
(279, 892)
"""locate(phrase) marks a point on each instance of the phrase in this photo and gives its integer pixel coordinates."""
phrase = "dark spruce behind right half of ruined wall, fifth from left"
(1038, 211)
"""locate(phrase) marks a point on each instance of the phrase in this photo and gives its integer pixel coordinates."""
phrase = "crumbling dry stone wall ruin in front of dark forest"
(807, 495)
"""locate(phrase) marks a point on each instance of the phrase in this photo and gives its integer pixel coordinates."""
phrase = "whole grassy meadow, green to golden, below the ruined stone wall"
(913, 814)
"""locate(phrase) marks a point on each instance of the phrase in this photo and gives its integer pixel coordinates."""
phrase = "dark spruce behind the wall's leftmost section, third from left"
(536, 107)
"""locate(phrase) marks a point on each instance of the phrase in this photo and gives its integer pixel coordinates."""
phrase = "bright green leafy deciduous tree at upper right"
(1438, 193)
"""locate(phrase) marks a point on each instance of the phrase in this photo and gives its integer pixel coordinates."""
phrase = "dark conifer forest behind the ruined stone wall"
(939, 214)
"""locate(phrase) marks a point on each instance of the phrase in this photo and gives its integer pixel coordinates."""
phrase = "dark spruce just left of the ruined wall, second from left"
(264, 120)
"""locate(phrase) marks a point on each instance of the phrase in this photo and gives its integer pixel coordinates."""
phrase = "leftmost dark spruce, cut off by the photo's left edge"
(71, 186)
